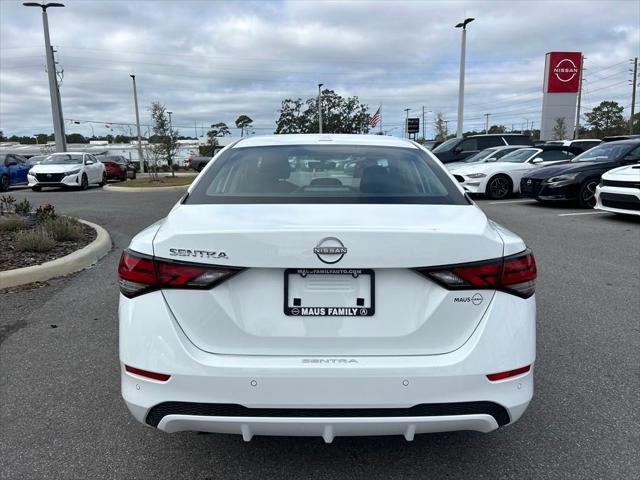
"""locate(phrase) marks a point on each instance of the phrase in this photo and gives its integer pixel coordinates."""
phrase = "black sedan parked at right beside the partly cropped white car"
(577, 180)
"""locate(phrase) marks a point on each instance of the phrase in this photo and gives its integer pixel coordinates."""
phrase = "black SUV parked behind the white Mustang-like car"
(457, 149)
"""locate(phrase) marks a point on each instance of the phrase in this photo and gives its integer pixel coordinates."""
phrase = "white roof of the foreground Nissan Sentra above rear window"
(323, 139)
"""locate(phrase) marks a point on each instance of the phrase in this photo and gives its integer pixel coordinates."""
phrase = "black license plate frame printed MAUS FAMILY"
(330, 311)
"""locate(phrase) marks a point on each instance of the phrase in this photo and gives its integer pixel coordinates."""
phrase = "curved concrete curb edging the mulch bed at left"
(74, 262)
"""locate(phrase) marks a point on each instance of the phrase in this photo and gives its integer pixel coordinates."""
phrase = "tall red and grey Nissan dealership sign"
(562, 72)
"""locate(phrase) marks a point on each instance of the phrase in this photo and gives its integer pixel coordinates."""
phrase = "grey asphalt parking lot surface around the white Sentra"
(61, 415)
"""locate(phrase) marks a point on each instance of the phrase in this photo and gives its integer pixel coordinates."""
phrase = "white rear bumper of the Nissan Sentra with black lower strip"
(327, 396)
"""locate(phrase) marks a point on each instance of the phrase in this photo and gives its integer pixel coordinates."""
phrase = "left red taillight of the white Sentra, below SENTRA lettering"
(141, 274)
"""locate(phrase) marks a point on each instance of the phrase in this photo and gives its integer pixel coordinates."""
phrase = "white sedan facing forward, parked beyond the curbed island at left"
(68, 169)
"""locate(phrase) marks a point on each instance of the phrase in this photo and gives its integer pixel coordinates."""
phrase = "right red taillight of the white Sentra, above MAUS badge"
(515, 274)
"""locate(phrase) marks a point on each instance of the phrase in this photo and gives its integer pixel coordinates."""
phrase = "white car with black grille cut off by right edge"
(619, 191)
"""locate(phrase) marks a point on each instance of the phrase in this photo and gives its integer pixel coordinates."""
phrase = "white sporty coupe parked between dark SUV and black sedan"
(498, 180)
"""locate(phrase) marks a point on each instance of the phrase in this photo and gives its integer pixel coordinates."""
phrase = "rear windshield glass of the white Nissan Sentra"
(325, 174)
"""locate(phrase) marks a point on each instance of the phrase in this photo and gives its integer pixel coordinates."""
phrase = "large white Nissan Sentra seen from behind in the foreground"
(326, 285)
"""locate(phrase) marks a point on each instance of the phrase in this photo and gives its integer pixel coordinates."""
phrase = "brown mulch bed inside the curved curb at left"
(11, 258)
